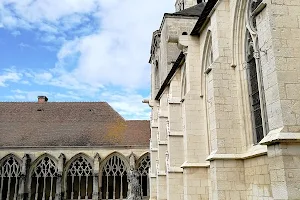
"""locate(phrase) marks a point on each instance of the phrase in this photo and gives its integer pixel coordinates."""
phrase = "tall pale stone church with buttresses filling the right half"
(225, 82)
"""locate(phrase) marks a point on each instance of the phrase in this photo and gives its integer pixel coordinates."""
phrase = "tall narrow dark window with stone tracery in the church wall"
(255, 82)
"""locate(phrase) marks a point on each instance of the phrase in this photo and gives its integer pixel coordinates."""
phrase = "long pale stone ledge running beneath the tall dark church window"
(255, 151)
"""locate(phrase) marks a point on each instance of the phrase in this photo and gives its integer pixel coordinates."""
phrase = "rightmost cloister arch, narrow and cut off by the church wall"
(143, 169)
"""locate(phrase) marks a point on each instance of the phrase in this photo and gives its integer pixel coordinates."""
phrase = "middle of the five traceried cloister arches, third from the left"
(80, 179)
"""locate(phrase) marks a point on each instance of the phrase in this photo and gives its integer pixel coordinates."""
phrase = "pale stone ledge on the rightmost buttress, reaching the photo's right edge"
(276, 136)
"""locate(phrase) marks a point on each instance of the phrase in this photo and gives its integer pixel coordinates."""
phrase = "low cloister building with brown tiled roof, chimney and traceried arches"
(70, 150)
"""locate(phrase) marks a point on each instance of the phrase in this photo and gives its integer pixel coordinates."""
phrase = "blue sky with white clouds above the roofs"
(79, 51)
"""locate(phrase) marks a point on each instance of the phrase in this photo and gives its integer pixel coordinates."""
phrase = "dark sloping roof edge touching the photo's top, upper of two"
(203, 17)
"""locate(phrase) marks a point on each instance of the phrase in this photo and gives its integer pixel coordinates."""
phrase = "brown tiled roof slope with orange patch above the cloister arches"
(68, 124)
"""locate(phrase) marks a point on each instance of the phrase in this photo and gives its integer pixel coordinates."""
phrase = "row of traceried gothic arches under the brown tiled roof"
(80, 177)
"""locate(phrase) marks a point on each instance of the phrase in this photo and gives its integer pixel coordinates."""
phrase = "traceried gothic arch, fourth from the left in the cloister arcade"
(114, 179)
